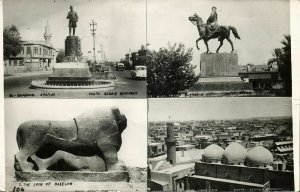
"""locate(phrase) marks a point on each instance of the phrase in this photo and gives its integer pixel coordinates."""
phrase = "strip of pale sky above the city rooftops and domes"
(180, 109)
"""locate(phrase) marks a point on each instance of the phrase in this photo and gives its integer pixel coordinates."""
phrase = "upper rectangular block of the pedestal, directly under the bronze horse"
(219, 65)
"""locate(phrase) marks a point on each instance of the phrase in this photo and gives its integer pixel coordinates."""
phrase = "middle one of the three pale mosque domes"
(235, 153)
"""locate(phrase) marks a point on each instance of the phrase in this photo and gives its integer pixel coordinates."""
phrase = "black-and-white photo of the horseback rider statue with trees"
(218, 48)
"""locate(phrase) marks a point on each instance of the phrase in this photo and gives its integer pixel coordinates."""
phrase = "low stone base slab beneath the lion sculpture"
(109, 176)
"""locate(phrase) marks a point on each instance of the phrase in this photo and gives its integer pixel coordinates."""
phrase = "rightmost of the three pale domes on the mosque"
(259, 156)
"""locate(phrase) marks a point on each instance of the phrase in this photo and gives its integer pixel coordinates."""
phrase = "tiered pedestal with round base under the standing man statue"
(73, 74)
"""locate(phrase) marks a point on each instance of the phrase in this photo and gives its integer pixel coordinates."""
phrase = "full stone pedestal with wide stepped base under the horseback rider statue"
(219, 76)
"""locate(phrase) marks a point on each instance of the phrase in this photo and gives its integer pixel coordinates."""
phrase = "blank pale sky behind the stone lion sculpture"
(134, 138)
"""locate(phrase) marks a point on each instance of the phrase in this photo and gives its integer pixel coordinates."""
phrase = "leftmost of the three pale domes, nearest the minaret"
(213, 152)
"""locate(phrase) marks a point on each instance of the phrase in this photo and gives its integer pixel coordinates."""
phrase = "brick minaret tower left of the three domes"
(171, 143)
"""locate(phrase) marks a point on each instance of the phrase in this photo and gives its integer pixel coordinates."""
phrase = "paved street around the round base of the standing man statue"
(19, 86)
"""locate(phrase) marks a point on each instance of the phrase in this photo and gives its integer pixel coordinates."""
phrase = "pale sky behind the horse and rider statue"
(261, 25)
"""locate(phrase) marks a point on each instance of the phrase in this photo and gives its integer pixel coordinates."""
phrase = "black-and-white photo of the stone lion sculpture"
(75, 146)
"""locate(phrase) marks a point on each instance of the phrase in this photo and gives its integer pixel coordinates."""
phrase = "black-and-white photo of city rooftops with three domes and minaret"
(220, 144)
